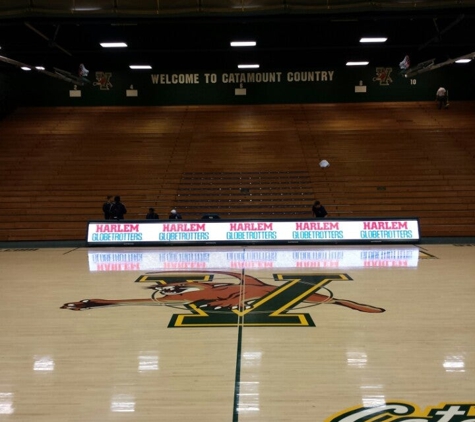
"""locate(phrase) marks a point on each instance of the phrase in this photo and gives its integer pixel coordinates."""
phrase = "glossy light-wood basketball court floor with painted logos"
(238, 333)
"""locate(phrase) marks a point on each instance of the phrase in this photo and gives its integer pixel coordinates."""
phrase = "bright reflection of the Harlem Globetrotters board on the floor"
(116, 259)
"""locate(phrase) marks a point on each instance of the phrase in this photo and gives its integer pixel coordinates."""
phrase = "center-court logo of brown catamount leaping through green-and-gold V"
(225, 298)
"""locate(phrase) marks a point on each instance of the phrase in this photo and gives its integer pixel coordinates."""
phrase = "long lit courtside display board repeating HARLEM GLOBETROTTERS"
(176, 232)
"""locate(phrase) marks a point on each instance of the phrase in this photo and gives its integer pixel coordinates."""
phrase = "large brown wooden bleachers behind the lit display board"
(387, 160)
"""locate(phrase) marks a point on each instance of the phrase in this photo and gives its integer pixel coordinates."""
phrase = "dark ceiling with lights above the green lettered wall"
(195, 34)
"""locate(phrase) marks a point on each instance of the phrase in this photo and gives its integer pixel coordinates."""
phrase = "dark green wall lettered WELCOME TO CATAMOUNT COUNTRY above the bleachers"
(108, 88)
